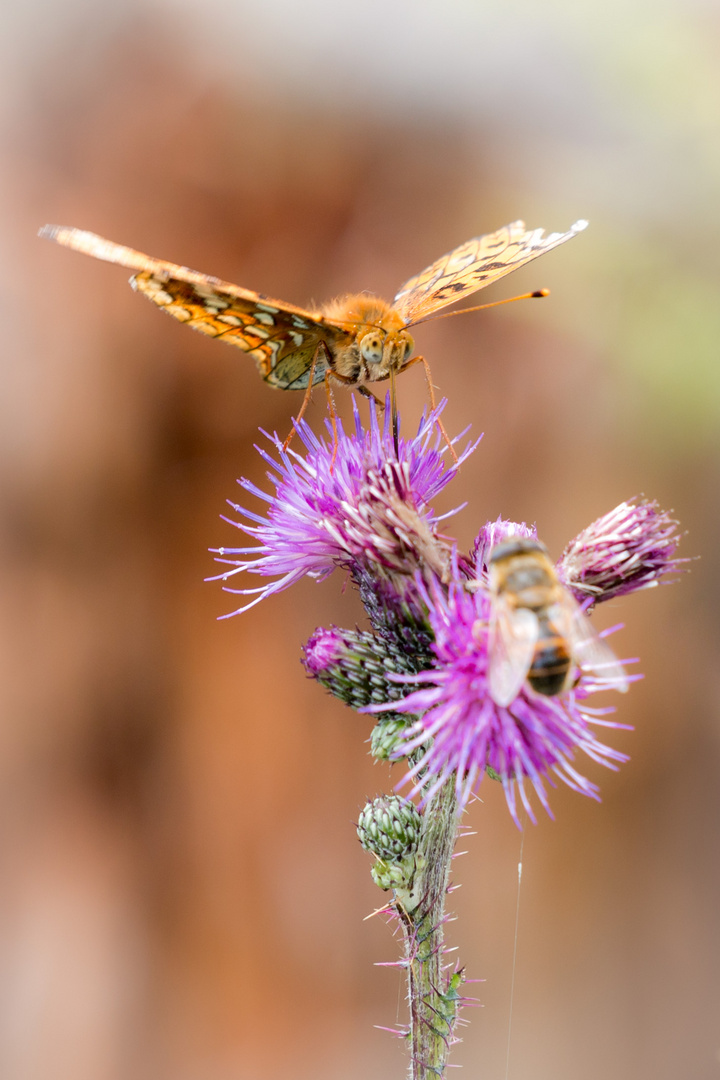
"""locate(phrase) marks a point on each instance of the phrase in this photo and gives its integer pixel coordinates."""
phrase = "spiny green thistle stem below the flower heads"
(432, 994)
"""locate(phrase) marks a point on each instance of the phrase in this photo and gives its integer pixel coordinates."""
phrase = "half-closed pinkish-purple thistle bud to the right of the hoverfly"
(631, 548)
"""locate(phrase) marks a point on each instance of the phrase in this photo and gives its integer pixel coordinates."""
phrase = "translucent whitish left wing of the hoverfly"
(513, 639)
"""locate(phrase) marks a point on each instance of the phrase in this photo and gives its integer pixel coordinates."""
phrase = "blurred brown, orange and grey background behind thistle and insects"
(182, 893)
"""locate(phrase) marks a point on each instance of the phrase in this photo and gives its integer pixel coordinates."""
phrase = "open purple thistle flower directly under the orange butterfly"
(358, 506)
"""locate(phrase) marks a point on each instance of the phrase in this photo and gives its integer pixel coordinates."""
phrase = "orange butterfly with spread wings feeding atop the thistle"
(355, 341)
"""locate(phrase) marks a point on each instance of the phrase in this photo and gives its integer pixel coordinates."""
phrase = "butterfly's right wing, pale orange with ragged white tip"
(474, 265)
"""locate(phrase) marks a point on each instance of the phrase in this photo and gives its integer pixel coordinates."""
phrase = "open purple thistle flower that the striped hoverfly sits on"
(461, 730)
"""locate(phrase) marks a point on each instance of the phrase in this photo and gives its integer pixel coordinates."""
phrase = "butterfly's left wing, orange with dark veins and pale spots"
(281, 339)
